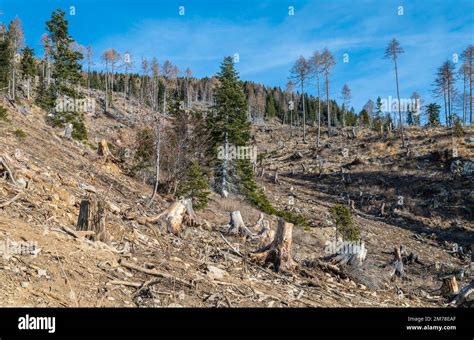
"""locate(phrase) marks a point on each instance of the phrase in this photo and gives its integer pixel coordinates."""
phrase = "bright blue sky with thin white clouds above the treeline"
(268, 39)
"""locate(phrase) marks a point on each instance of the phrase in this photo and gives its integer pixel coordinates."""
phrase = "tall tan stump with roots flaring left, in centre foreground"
(278, 252)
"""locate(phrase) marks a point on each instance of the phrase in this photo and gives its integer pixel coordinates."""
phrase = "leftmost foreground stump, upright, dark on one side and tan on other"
(92, 218)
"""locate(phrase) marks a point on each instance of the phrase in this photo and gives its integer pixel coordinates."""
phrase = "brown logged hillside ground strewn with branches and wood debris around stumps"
(205, 267)
